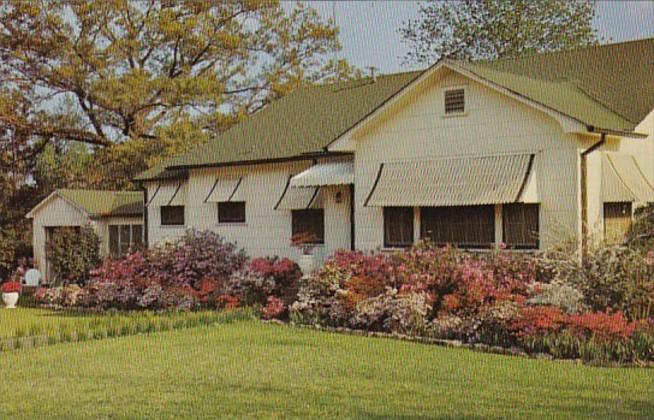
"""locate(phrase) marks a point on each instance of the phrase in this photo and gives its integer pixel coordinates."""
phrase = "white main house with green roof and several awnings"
(526, 151)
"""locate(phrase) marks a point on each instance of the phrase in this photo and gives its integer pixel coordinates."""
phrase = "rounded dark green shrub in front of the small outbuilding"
(73, 253)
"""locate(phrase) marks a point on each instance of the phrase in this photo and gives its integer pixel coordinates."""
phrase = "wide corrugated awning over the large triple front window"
(457, 181)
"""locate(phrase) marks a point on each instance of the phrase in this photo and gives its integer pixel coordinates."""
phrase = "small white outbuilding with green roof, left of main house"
(115, 216)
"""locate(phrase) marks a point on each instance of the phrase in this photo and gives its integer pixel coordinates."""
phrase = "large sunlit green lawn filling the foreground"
(248, 369)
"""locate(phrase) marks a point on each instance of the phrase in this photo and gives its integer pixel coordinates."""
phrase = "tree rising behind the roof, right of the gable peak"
(490, 29)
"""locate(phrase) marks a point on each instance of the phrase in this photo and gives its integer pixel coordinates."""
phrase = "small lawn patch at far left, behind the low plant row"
(23, 318)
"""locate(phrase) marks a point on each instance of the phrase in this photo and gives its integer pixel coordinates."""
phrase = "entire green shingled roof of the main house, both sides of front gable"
(607, 87)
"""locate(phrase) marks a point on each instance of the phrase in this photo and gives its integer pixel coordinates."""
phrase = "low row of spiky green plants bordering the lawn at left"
(111, 326)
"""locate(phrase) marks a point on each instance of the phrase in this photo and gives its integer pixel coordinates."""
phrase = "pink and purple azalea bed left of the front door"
(200, 270)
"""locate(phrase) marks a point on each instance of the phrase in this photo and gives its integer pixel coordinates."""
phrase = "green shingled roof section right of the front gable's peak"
(609, 86)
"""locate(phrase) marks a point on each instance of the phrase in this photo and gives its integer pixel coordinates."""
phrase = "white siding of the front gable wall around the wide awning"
(492, 124)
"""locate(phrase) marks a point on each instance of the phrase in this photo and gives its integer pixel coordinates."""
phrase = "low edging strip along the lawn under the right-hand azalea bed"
(479, 347)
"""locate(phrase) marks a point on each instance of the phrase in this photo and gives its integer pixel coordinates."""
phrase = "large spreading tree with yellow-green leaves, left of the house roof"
(102, 72)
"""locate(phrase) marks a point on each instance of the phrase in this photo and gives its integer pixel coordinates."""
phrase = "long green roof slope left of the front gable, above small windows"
(299, 124)
